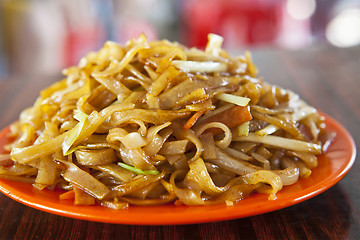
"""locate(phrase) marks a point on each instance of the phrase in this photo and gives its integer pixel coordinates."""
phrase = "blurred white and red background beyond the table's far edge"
(43, 37)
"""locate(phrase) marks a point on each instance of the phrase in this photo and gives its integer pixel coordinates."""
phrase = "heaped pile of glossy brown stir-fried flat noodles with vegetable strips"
(152, 123)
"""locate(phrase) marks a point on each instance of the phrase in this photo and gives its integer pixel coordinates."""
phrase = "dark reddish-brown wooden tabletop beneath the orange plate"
(326, 77)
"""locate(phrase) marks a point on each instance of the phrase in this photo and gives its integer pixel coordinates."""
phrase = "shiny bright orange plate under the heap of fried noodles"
(332, 168)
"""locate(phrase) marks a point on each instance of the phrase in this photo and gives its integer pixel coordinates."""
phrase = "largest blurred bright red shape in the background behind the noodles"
(240, 22)
